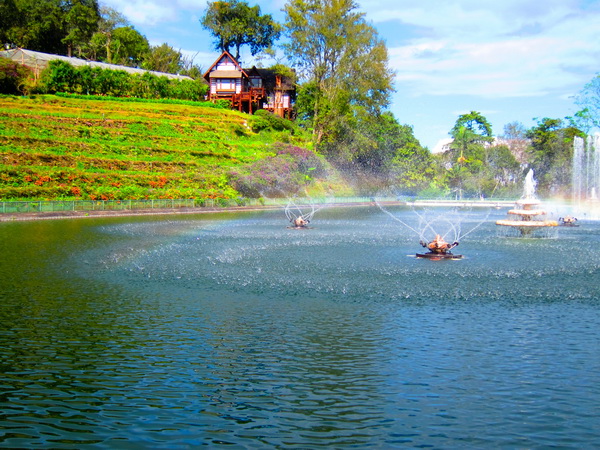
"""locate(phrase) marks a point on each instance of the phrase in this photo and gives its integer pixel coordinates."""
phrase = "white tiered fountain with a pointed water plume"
(529, 217)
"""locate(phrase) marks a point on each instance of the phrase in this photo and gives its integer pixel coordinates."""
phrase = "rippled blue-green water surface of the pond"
(233, 330)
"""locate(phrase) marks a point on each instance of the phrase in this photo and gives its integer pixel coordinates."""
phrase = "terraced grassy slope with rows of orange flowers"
(55, 147)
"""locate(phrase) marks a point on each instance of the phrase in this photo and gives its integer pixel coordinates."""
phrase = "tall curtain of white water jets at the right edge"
(586, 174)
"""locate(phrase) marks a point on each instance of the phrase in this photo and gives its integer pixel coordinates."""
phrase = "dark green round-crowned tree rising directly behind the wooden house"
(233, 24)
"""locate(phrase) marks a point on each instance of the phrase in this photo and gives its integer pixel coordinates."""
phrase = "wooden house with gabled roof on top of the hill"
(250, 89)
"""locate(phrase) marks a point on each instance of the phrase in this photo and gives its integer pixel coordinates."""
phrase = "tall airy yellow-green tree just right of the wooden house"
(343, 65)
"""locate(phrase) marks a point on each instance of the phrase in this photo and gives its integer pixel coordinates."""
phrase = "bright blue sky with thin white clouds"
(510, 60)
